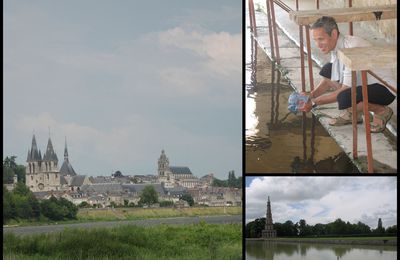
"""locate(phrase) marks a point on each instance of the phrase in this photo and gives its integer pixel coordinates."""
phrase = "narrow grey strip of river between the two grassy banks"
(30, 230)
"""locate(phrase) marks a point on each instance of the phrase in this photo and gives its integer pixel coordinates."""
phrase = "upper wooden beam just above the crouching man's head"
(351, 14)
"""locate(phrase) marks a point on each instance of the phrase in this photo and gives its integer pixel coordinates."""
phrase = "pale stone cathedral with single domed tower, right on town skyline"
(173, 176)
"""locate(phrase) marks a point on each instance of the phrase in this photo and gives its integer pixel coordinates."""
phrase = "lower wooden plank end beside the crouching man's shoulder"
(369, 58)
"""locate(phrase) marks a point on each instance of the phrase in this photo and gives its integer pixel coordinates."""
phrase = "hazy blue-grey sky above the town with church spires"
(123, 80)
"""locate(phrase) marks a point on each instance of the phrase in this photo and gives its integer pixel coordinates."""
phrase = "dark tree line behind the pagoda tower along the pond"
(302, 229)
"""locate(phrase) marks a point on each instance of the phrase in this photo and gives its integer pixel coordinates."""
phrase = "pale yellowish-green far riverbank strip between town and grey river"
(108, 214)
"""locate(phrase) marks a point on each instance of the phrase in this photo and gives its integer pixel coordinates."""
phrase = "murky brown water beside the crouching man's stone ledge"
(276, 142)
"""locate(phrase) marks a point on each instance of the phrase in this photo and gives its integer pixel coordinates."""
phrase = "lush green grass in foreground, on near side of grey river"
(198, 241)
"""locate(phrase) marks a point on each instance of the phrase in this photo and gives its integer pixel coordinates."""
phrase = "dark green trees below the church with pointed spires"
(21, 204)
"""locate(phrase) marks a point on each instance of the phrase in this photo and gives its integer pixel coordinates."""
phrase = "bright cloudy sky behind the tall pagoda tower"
(323, 199)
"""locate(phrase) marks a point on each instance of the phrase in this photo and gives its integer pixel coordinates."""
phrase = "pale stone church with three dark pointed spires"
(43, 174)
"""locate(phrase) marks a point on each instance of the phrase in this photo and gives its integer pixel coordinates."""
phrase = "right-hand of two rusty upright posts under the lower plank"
(367, 124)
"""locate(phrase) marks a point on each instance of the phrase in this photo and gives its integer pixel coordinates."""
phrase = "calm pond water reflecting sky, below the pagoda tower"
(268, 250)
